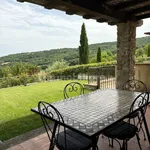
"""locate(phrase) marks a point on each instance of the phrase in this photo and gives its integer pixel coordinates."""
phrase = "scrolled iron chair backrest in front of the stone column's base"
(134, 85)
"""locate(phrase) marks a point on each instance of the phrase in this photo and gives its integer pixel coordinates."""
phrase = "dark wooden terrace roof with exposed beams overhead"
(110, 11)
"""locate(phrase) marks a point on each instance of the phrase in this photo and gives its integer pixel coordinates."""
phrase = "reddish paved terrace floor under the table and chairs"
(41, 142)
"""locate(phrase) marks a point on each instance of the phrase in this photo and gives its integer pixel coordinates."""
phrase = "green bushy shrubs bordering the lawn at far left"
(18, 74)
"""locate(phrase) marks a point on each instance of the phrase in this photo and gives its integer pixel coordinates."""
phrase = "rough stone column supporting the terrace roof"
(126, 45)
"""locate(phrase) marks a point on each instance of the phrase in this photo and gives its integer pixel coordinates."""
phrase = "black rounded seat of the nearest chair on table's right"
(121, 131)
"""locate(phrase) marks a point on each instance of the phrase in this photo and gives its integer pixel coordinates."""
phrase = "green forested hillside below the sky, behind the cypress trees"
(71, 55)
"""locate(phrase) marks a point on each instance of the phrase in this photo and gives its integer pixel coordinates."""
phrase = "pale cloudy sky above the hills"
(26, 27)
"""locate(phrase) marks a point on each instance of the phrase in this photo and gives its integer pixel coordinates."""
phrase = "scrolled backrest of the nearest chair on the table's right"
(141, 102)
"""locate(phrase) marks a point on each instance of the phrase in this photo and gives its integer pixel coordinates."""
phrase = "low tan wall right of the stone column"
(142, 72)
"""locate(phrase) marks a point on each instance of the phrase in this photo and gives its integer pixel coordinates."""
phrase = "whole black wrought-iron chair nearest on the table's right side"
(125, 130)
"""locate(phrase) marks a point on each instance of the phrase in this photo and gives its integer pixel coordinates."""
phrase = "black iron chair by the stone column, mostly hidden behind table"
(138, 86)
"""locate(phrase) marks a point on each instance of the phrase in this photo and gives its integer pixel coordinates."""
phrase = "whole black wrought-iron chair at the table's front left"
(62, 138)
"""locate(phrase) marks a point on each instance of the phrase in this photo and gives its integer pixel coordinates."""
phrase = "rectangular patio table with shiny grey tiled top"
(91, 113)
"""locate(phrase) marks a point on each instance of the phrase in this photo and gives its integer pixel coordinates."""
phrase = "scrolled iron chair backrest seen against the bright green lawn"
(73, 89)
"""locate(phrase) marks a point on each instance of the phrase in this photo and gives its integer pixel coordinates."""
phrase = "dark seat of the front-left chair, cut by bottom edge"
(74, 141)
